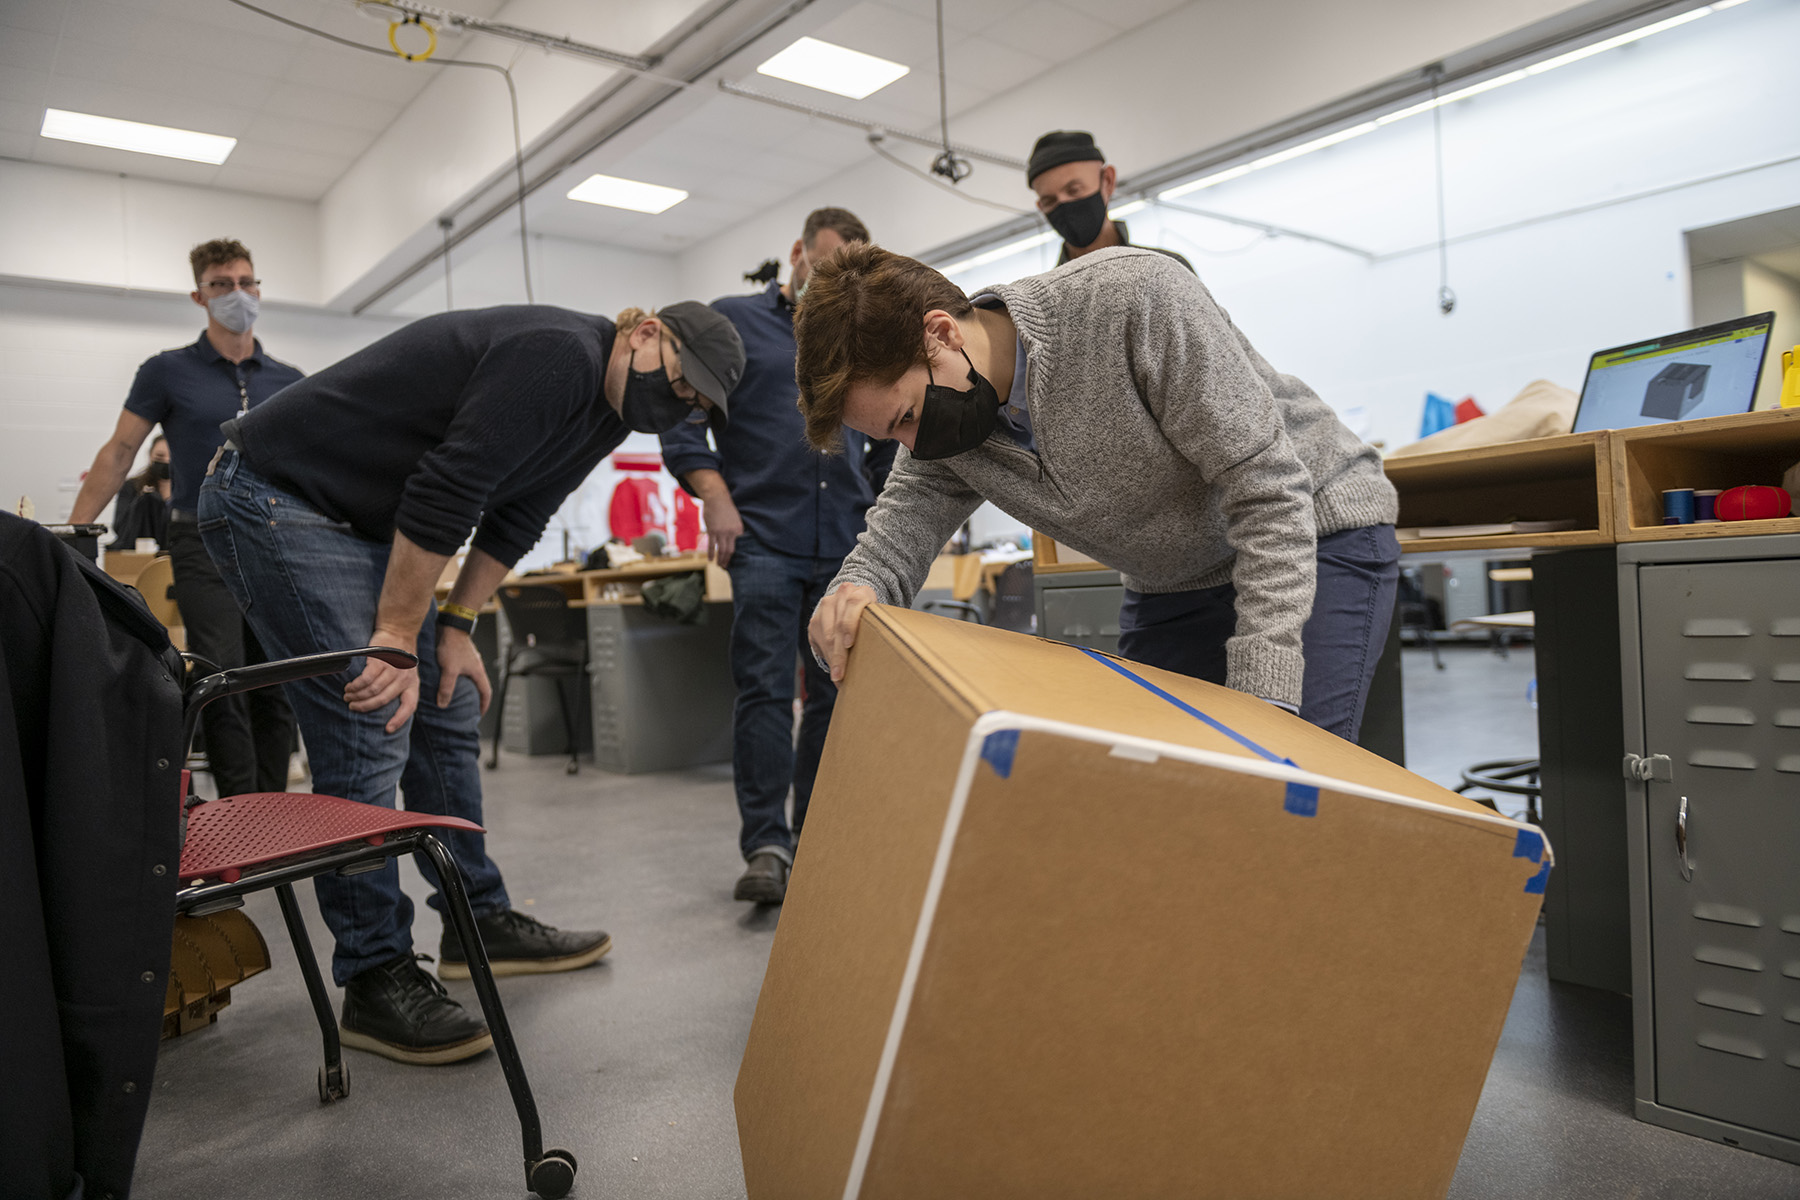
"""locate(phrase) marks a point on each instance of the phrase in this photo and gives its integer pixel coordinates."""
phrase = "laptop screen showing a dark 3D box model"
(1702, 373)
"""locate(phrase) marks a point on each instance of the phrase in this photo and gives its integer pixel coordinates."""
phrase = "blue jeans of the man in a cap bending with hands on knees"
(310, 586)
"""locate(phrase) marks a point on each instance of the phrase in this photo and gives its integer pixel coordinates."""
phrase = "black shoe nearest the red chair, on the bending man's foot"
(400, 1012)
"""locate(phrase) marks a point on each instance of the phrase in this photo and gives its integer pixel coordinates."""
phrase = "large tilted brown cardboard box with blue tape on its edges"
(1065, 926)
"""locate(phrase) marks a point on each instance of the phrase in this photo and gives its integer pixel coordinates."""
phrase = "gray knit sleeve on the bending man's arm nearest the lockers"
(1218, 413)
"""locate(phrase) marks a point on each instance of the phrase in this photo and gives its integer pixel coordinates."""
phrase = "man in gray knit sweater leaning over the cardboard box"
(1113, 406)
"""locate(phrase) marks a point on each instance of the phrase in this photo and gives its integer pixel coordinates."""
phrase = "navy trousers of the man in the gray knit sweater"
(1360, 573)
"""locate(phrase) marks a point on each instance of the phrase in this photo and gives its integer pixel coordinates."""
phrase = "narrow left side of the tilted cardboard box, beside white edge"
(890, 769)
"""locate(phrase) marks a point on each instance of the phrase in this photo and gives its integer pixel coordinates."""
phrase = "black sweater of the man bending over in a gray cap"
(490, 416)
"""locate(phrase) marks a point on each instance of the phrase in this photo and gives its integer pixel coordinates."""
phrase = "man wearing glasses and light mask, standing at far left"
(190, 393)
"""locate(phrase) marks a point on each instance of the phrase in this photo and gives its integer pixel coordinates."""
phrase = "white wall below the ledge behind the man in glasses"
(67, 359)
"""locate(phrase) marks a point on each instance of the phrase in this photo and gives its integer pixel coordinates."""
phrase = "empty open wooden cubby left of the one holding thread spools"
(1567, 478)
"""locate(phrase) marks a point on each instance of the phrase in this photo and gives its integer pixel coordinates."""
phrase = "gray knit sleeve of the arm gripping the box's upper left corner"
(921, 506)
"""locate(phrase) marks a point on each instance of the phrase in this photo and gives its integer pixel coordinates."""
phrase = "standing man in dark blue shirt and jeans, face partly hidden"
(780, 517)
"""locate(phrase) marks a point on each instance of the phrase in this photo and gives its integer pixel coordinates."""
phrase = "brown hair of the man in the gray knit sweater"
(863, 321)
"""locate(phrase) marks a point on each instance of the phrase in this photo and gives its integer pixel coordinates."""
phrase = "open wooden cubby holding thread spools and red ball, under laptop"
(1713, 452)
